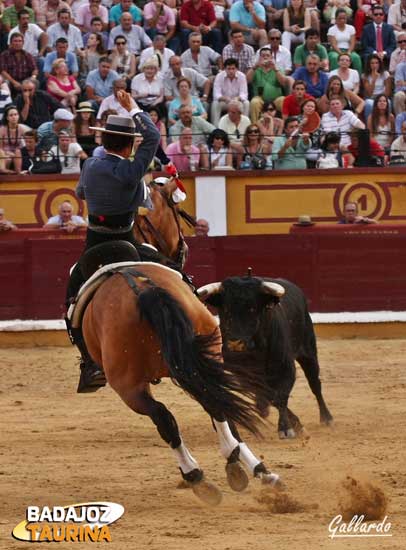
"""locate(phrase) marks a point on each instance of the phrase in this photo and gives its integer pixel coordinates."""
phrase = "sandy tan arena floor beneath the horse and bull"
(61, 448)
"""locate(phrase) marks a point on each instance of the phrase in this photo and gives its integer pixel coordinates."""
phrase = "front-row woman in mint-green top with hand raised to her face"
(289, 150)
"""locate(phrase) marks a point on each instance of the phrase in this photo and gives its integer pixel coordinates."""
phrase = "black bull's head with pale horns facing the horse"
(242, 303)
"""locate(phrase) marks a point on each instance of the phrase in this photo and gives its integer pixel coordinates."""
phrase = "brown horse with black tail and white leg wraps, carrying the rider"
(144, 323)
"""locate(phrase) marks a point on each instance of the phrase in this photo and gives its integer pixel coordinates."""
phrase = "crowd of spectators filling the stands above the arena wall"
(242, 84)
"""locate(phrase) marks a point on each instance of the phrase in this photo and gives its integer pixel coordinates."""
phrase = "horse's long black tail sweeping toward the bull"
(192, 363)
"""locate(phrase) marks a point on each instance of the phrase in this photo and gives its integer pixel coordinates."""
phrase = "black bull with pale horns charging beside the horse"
(266, 326)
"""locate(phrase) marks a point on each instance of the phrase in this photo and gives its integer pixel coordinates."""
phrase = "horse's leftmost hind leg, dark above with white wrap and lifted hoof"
(143, 403)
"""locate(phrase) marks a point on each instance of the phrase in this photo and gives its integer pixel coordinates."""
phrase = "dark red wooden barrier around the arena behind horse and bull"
(338, 271)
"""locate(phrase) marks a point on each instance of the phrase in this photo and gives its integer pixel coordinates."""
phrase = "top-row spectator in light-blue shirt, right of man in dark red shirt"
(249, 17)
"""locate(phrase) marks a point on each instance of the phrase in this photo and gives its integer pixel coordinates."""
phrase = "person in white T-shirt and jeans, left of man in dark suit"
(341, 38)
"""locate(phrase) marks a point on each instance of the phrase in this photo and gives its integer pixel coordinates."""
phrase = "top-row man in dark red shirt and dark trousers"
(199, 16)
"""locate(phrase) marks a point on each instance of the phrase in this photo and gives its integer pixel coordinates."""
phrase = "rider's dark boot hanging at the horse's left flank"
(91, 376)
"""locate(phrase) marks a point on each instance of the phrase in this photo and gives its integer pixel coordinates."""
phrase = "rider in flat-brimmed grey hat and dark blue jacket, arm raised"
(113, 189)
